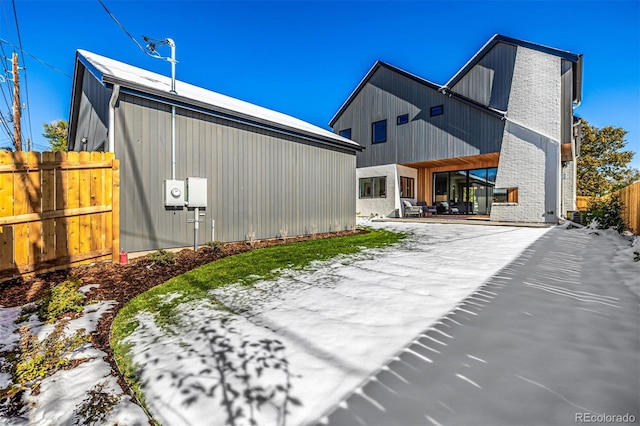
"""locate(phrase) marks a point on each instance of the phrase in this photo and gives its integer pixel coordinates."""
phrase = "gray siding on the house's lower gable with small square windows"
(461, 131)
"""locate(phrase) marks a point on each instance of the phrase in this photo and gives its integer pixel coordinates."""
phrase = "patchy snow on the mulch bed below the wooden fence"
(64, 392)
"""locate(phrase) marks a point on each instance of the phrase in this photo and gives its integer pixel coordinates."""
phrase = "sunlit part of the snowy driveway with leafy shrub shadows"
(292, 349)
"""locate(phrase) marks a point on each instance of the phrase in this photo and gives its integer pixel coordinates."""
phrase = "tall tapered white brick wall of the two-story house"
(530, 153)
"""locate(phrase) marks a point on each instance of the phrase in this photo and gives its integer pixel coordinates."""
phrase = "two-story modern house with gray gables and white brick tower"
(498, 139)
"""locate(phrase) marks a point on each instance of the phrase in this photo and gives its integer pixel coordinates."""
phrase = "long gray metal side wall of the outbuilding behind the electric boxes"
(257, 180)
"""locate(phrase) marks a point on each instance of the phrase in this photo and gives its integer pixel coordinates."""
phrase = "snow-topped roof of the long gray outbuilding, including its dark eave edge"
(110, 72)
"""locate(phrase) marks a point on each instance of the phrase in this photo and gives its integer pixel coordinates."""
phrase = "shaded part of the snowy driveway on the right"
(553, 339)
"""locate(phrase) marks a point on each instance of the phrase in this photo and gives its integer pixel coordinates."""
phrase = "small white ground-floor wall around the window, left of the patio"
(378, 206)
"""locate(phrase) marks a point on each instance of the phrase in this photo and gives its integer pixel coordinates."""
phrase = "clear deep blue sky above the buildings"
(305, 58)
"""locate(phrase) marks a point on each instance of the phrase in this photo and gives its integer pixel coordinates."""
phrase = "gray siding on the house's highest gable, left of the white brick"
(489, 81)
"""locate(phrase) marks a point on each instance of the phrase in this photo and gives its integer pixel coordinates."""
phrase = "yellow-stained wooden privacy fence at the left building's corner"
(57, 210)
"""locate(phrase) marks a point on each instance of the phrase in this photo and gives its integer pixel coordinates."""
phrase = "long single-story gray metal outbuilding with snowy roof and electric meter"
(244, 171)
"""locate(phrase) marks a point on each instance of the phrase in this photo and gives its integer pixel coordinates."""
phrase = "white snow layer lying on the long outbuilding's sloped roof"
(140, 78)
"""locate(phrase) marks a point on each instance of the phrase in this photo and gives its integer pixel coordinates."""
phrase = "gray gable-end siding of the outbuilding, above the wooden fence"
(92, 114)
